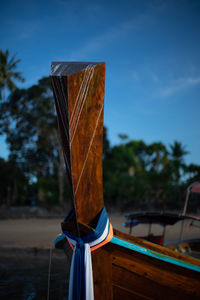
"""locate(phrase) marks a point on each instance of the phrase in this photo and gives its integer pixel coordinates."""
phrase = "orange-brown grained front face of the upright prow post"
(86, 147)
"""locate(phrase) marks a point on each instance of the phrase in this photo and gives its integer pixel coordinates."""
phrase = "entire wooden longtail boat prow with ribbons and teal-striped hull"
(122, 266)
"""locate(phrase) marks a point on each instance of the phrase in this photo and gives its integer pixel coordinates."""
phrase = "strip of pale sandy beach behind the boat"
(41, 232)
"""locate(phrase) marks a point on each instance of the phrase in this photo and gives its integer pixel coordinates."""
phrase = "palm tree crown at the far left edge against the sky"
(8, 73)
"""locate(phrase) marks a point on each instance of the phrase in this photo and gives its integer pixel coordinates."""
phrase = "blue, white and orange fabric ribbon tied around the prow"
(81, 277)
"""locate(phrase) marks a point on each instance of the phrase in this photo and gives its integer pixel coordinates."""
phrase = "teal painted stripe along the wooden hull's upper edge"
(154, 254)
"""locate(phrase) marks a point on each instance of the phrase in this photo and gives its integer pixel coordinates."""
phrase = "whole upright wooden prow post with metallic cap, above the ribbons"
(79, 101)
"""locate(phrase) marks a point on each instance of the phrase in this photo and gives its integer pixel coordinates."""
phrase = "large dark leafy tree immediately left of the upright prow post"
(31, 133)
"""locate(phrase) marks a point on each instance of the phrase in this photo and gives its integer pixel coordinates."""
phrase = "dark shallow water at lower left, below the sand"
(25, 276)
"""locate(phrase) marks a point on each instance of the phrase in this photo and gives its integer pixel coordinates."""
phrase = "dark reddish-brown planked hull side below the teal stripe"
(145, 277)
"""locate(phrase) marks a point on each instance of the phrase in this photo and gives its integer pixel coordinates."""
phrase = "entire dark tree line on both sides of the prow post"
(136, 174)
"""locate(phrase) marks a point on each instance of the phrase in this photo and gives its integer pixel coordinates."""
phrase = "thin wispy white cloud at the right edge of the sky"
(180, 85)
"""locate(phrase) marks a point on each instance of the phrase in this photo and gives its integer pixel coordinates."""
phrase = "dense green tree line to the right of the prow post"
(147, 176)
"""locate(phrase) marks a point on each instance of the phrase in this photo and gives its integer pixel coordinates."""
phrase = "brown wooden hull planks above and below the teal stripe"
(138, 276)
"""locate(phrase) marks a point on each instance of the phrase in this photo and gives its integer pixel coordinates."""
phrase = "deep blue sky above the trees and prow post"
(152, 55)
